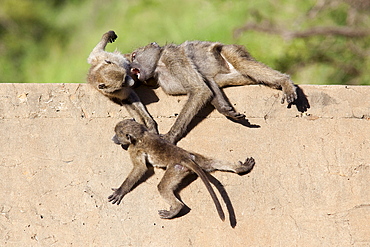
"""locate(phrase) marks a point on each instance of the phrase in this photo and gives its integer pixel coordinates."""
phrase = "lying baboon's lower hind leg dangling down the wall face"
(221, 104)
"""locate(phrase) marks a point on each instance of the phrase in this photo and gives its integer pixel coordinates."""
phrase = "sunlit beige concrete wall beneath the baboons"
(310, 185)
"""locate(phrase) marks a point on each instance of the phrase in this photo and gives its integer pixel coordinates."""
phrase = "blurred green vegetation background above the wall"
(315, 41)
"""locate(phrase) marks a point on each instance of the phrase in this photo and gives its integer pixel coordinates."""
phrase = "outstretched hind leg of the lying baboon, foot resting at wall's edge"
(258, 72)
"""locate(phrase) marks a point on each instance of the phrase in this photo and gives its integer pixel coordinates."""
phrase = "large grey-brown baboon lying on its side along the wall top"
(199, 69)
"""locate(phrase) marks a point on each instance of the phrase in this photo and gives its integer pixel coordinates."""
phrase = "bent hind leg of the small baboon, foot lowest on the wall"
(169, 183)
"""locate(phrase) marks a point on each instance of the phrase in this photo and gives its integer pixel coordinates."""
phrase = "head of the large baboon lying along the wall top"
(144, 61)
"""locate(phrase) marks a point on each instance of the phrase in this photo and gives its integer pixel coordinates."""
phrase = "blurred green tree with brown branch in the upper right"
(335, 41)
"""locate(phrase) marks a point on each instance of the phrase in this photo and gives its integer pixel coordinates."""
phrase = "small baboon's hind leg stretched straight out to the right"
(210, 165)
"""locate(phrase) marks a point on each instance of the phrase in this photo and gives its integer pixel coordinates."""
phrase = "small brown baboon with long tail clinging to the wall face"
(145, 147)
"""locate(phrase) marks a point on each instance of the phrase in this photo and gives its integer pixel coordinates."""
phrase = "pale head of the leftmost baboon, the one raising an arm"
(109, 78)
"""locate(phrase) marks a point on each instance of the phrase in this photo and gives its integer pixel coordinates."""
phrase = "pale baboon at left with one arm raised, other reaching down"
(109, 74)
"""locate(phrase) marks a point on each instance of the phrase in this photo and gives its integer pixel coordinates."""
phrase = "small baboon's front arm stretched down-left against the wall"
(138, 170)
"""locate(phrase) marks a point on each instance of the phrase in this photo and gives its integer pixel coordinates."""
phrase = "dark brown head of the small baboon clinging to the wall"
(128, 132)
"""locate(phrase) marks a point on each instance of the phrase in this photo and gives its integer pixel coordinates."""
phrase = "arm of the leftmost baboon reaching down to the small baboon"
(137, 109)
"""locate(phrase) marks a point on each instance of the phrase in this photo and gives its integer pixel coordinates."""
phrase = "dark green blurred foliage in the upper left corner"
(26, 30)
